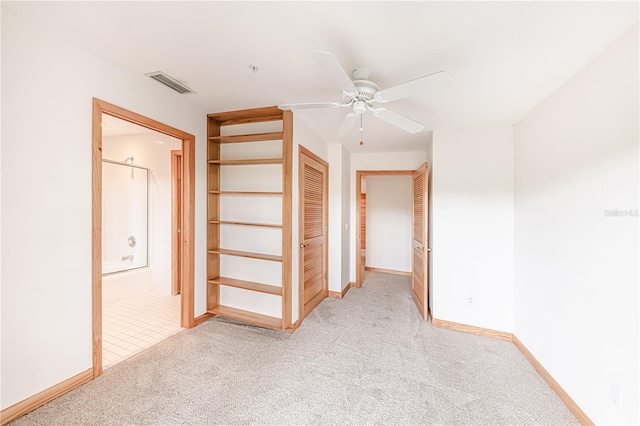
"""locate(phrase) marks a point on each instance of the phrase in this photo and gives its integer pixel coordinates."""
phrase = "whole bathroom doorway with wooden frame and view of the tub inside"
(134, 267)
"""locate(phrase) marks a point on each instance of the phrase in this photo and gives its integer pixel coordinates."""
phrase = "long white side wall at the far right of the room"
(576, 268)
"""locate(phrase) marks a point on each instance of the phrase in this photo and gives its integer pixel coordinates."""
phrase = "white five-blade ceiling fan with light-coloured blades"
(362, 95)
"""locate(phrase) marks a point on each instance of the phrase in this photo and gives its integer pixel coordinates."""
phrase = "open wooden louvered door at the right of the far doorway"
(419, 252)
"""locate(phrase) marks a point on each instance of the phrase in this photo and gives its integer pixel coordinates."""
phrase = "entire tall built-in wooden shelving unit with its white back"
(249, 180)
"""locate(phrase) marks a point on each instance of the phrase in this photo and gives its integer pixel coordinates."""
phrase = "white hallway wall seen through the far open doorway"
(389, 204)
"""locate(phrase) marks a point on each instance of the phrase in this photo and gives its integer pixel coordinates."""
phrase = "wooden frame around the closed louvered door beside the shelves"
(304, 151)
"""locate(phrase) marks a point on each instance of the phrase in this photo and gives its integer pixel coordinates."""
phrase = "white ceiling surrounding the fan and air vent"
(506, 56)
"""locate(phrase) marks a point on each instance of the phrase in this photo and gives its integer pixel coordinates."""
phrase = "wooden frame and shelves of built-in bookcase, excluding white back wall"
(214, 196)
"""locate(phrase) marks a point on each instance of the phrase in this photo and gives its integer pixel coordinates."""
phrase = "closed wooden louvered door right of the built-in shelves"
(313, 231)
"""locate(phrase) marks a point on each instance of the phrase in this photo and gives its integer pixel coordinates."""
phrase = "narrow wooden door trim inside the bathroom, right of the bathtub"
(176, 206)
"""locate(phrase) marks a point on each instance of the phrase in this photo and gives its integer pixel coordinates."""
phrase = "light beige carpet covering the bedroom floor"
(365, 359)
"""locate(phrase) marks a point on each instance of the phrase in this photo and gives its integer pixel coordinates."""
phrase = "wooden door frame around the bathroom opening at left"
(188, 217)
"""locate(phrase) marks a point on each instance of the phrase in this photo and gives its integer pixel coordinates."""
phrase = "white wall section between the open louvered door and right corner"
(472, 209)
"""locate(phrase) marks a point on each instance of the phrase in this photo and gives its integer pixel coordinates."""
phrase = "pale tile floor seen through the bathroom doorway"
(137, 323)
